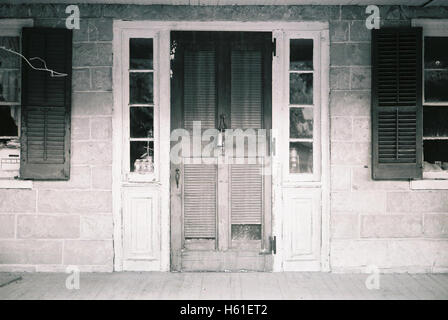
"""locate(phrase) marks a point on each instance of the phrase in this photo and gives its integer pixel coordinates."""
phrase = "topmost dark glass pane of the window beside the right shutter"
(436, 53)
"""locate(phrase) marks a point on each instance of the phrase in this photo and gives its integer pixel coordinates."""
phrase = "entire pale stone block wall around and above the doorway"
(381, 223)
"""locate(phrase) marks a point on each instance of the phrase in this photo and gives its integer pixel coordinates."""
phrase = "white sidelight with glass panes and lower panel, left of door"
(139, 183)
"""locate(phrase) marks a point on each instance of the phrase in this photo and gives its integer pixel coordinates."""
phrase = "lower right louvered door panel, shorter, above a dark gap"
(246, 188)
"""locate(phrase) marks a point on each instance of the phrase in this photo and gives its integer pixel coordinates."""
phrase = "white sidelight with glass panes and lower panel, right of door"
(302, 157)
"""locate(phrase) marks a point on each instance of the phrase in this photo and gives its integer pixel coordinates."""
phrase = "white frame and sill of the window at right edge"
(431, 28)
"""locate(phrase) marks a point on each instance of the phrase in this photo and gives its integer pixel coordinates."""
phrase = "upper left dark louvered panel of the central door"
(199, 88)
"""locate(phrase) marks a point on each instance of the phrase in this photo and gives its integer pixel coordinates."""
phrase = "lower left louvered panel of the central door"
(199, 201)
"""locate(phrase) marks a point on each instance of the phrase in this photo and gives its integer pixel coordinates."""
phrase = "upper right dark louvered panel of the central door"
(246, 110)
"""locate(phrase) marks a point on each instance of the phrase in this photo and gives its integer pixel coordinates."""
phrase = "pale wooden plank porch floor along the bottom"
(289, 285)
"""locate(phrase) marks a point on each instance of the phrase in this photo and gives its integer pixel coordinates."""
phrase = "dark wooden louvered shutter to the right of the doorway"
(397, 104)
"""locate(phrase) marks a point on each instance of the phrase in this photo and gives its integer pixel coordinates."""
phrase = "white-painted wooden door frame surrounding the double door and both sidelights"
(162, 184)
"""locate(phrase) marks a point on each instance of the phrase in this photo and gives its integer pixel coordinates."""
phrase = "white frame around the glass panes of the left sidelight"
(134, 176)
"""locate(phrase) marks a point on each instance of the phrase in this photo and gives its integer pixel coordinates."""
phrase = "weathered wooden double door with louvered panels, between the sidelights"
(220, 164)
